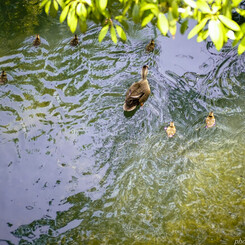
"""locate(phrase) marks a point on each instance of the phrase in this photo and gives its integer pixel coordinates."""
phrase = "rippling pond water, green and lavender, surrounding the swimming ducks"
(75, 169)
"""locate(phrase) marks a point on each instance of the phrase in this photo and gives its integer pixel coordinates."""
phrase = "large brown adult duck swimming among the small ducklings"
(138, 92)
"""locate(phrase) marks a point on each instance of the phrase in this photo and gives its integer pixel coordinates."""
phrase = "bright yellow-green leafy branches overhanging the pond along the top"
(214, 18)
